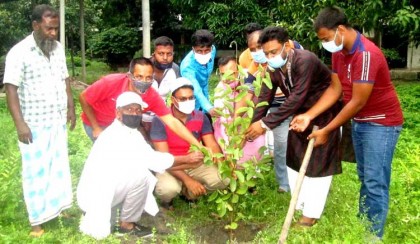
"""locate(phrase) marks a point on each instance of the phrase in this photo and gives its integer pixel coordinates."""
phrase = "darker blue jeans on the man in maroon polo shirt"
(374, 146)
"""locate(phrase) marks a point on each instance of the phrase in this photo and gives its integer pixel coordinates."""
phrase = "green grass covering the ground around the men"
(268, 208)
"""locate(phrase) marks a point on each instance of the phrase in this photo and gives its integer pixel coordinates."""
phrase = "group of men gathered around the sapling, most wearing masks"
(147, 119)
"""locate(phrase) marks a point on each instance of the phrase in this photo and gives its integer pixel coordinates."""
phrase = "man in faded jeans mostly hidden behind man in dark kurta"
(277, 137)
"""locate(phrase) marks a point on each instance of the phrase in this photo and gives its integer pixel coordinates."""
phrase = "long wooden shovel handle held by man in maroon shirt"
(295, 195)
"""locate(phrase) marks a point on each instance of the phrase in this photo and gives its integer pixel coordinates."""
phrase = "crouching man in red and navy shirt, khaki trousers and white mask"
(192, 182)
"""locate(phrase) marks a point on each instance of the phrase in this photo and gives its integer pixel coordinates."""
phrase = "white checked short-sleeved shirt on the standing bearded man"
(40, 81)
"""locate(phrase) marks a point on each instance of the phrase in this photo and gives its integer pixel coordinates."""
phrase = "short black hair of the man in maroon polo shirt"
(330, 18)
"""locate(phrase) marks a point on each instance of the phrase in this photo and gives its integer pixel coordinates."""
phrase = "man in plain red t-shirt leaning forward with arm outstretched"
(98, 100)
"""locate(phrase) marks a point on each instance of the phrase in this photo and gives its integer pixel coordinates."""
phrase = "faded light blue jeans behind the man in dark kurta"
(280, 134)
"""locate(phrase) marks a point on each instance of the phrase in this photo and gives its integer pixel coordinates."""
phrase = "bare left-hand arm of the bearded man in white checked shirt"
(23, 130)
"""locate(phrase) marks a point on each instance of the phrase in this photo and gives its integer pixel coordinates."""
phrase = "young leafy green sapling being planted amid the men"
(242, 176)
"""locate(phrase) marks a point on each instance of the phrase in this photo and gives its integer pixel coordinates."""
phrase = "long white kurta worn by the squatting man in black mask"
(118, 155)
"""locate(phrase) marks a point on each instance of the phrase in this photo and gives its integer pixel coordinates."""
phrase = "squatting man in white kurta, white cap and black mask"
(116, 174)
